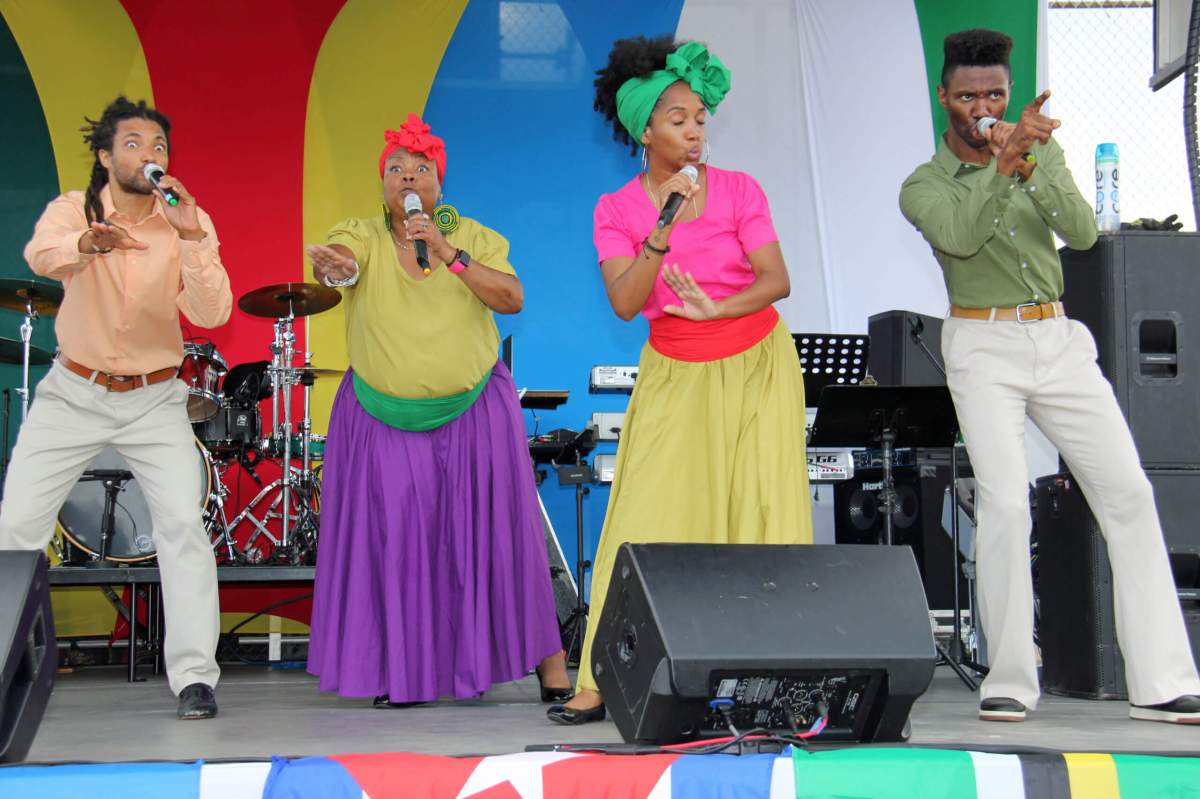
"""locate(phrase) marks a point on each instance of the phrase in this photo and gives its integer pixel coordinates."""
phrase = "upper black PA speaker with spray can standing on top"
(1138, 293)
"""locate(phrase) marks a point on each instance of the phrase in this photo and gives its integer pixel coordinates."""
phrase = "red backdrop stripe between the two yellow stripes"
(235, 79)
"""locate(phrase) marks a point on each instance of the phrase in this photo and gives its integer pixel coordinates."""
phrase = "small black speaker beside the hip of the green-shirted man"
(896, 357)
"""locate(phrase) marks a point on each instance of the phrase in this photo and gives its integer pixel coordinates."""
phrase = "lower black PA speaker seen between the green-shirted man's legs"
(1081, 656)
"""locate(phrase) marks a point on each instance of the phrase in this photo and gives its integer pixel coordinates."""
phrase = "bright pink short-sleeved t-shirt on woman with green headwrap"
(735, 221)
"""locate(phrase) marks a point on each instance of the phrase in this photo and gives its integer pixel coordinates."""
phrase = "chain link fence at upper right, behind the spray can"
(1101, 57)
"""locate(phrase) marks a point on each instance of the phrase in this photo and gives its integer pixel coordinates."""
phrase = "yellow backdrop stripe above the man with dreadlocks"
(81, 56)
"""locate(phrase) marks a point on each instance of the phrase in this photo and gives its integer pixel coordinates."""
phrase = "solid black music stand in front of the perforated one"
(890, 417)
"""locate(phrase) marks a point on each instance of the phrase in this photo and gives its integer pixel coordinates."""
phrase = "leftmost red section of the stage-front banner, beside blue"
(403, 776)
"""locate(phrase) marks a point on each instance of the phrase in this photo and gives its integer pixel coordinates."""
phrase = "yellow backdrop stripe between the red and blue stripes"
(362, 87)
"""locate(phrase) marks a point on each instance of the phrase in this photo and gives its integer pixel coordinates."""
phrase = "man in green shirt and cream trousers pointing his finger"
(989, 205)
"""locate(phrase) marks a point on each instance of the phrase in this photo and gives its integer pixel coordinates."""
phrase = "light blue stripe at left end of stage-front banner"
(125, 780)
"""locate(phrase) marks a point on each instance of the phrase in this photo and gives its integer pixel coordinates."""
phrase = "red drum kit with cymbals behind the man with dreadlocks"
(106, 518)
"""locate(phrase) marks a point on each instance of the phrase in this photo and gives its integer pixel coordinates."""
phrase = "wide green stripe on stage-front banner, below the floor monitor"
(885, 774)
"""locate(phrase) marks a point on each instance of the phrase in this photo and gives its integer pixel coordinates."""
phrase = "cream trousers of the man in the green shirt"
(999, 373)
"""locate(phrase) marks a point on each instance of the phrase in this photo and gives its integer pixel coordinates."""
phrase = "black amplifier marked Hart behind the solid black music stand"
(922, 497)
